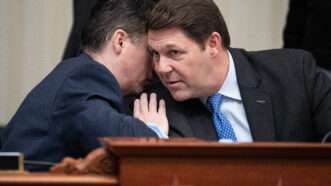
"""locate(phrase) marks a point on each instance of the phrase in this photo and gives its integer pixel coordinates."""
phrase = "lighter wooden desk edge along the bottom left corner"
(38, 179)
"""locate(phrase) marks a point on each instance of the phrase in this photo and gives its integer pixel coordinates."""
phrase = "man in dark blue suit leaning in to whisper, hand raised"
(81, 99)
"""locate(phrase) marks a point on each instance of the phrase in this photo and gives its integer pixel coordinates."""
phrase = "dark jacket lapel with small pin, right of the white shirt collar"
(257, 102)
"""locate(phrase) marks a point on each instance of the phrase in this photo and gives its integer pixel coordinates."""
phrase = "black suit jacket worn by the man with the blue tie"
(286, 98)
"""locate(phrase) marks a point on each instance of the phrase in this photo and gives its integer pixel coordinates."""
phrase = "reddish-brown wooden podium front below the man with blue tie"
(152, 162)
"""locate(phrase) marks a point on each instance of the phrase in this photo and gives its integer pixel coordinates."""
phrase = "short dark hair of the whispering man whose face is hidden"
(110, 15)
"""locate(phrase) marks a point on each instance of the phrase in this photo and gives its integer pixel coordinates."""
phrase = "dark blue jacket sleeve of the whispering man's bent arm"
(89, 106)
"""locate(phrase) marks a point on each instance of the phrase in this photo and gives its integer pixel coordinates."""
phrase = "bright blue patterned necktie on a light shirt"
(223, 127)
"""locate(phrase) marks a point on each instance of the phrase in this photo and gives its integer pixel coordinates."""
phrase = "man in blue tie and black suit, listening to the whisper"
(274, 95)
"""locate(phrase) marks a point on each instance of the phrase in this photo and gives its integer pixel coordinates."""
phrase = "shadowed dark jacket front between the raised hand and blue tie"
(186, 119)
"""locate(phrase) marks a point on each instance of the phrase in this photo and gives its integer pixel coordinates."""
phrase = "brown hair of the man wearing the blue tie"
(197, 18)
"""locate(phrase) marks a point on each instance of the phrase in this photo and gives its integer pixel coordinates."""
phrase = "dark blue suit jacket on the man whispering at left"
(79, 101)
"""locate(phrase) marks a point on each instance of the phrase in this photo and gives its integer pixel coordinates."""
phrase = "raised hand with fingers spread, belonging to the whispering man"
(149, 113)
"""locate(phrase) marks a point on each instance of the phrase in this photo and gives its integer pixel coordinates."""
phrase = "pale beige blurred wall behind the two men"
(33, 34)
